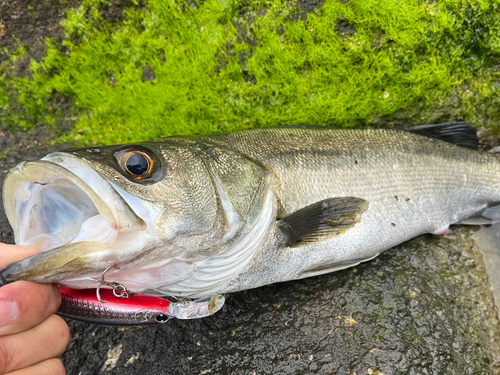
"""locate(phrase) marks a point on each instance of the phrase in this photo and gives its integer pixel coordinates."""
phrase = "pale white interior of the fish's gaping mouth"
(53, 210)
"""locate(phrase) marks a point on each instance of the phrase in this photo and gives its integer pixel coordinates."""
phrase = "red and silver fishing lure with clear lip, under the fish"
(137, 309)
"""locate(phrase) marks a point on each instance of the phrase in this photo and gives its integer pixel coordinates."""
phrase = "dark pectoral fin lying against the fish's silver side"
(322, 220)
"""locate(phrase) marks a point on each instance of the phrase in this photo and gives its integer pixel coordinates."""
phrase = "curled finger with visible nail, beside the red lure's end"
(23, 305)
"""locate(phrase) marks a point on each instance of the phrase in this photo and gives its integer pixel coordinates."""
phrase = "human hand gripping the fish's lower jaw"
(31, 336)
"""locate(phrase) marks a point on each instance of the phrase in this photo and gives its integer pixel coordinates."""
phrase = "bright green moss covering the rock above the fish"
(174, 68)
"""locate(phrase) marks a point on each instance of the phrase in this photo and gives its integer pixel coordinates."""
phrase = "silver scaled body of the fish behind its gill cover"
(414, 185)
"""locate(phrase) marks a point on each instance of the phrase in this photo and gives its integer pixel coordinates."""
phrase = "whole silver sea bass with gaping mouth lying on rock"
(196, 216)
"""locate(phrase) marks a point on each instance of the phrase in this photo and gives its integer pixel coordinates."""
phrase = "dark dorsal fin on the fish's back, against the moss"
(458, 133)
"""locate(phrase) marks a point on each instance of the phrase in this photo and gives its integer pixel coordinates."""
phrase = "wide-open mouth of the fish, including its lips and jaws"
(63, 207)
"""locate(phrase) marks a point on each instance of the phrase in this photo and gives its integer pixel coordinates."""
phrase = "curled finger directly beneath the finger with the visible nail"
(47, 340)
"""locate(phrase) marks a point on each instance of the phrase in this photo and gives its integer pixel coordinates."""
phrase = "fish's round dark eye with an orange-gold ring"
(138, 163)
